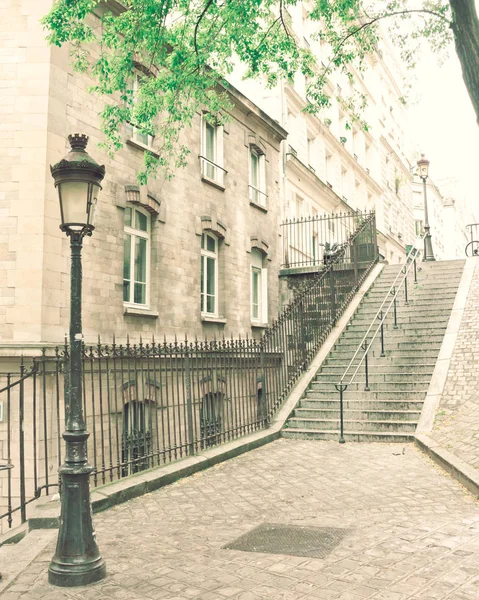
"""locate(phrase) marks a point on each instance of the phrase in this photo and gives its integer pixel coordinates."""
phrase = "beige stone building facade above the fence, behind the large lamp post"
(207, 203)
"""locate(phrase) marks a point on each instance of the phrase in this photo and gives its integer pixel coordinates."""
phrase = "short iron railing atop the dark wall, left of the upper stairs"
(311, 241)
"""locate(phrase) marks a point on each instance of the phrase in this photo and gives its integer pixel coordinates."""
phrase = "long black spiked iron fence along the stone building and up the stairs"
(149, 404)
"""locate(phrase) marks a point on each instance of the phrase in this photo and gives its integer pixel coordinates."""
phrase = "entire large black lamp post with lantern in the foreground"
(77, 560)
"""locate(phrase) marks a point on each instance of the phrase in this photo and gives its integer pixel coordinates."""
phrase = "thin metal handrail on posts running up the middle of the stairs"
(381, 314)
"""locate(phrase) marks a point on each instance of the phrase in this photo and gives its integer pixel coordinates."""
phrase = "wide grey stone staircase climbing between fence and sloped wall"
(398, 382)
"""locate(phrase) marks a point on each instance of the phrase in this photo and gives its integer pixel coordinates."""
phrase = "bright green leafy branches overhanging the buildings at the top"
(187, 48)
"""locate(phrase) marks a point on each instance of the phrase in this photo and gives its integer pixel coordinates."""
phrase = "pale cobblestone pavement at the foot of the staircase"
(415, 532)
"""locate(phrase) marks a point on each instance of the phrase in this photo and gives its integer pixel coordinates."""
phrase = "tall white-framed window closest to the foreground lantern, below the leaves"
(136, 257)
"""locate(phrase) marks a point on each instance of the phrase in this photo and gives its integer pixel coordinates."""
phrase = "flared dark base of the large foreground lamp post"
(77, 560)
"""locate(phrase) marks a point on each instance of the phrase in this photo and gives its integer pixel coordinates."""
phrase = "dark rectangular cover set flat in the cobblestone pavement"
(314, 542)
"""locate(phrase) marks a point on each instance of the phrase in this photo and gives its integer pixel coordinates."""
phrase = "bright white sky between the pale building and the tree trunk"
(443, 125)
